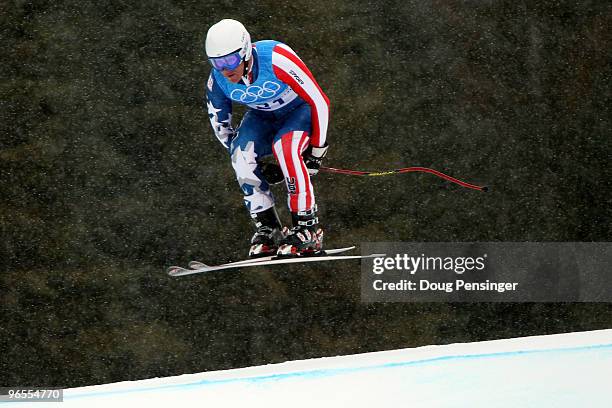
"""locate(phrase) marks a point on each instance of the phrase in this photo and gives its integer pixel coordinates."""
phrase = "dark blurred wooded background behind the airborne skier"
(110, 173)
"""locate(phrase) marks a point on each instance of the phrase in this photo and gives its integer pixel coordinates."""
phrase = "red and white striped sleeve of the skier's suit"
(289, 68)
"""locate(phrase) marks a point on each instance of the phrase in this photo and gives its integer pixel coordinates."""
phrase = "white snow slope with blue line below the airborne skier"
(562, 370)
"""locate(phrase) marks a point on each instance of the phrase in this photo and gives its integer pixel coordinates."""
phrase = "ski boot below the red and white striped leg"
(305, 238)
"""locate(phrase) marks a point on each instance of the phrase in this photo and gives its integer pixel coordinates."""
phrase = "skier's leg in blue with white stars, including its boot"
(252, 143)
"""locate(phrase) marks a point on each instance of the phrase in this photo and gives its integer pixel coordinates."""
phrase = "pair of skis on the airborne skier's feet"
(328, 255)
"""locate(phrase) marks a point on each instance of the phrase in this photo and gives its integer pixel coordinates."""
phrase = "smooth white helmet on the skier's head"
(228, 36)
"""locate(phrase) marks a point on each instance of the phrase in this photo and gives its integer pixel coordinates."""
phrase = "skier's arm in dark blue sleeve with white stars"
(219, 112)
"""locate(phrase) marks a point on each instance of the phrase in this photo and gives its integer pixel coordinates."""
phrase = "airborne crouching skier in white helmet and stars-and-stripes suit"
(287, 116)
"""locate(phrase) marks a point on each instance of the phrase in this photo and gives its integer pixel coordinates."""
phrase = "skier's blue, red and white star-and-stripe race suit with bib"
(287, 112)
